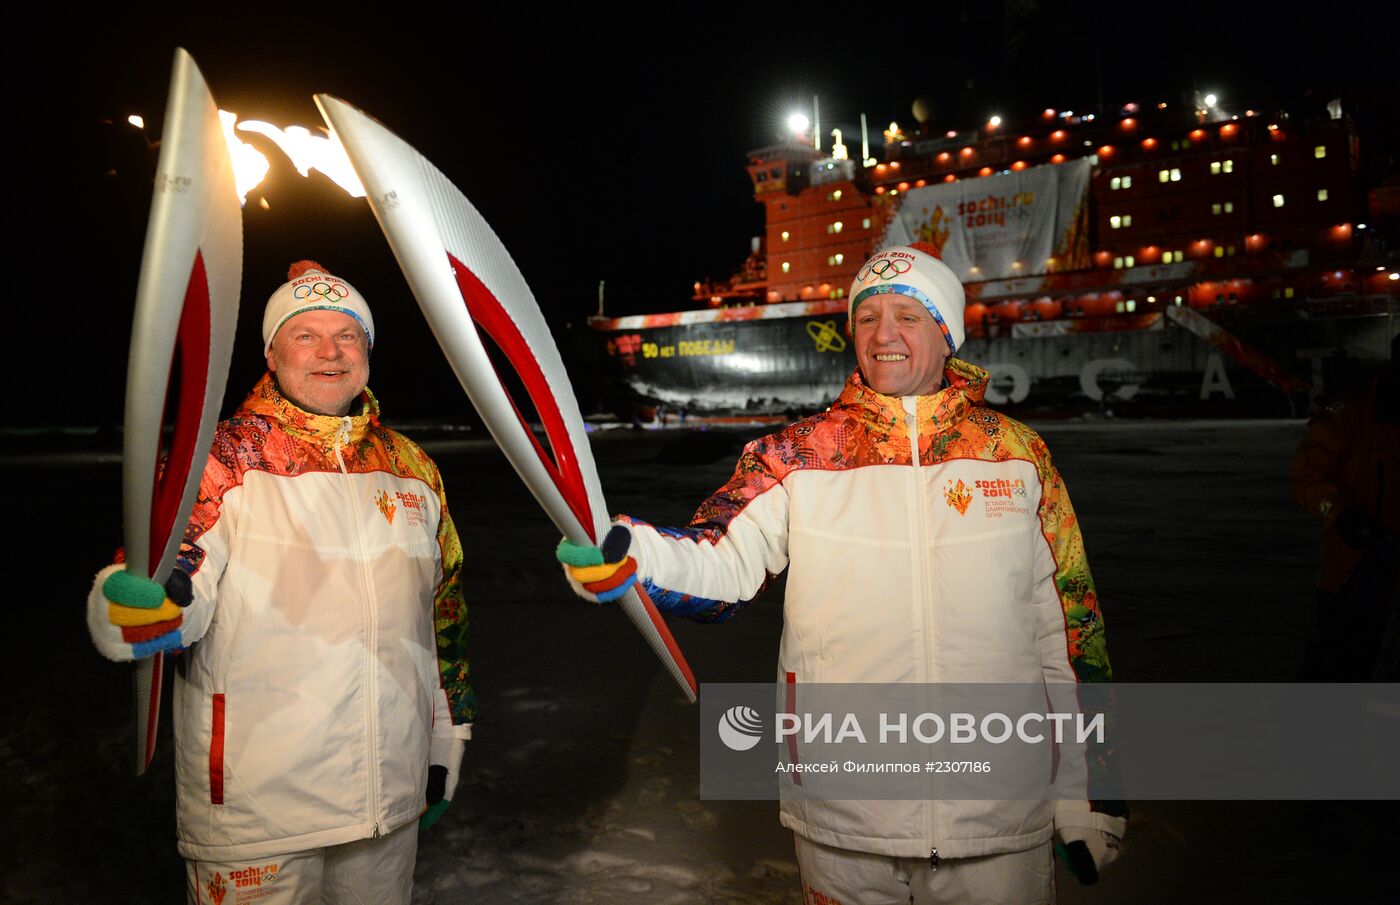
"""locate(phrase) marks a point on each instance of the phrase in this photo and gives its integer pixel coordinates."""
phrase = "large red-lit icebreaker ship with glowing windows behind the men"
(1252, 233)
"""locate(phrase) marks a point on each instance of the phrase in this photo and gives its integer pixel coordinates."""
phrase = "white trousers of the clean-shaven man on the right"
(834, 876)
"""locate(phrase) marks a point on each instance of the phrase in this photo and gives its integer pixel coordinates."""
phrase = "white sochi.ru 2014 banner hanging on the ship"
(1017, 225)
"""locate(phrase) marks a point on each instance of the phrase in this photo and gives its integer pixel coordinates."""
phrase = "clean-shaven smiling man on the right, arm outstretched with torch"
(906, 562)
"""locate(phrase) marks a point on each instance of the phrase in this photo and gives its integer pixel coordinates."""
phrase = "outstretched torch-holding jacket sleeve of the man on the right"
(723, 560)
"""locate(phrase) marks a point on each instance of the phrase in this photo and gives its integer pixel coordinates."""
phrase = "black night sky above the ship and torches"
(600, 148)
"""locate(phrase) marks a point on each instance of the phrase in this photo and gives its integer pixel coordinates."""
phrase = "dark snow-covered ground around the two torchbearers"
(582, 784)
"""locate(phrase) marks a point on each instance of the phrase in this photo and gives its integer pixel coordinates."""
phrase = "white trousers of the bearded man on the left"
(370, 872)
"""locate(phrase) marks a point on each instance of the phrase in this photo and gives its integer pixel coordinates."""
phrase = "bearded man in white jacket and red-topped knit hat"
(323, 697)
